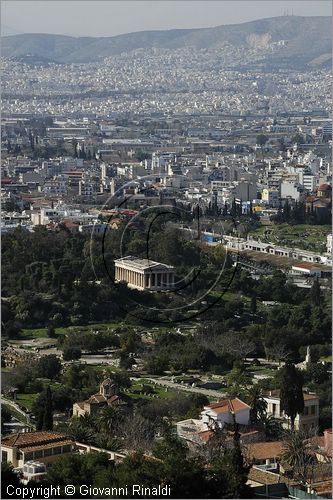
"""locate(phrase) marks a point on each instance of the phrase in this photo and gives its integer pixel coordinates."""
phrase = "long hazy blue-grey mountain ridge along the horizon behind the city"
(308, 41)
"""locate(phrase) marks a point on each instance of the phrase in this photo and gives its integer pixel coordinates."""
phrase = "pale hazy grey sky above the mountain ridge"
(108, 18)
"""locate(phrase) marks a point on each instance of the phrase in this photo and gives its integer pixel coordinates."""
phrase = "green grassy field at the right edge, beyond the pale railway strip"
(305, 236)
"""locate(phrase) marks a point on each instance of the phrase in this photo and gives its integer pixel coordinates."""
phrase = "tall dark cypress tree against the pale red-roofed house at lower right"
(291, 392)
